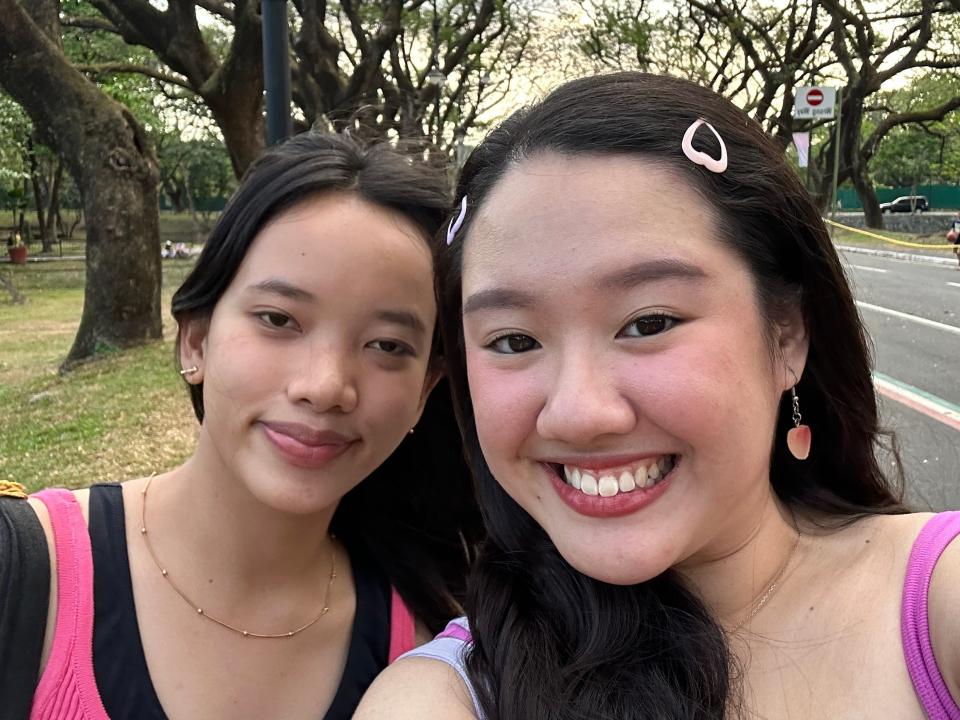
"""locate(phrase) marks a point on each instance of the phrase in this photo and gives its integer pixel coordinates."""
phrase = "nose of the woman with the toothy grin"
(584, 403)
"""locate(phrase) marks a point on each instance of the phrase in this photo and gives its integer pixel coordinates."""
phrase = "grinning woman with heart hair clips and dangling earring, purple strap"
(664, 389)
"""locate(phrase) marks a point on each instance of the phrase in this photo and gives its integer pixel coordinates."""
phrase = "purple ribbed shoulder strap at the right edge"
(927, 679)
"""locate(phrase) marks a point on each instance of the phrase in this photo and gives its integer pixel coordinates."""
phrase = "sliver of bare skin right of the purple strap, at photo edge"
(943, 601)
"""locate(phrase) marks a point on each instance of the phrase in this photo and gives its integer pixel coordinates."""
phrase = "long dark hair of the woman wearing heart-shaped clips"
(550, 642)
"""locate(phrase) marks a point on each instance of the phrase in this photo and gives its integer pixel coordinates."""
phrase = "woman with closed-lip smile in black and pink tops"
(322, 525)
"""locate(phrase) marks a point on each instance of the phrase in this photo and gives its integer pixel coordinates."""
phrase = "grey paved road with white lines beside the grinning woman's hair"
(912, 311)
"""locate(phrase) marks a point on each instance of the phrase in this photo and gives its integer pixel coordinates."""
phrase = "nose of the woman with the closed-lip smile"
(326, 379)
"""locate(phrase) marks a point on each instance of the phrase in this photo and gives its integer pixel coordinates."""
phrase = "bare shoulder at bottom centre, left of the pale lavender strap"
(417, 688)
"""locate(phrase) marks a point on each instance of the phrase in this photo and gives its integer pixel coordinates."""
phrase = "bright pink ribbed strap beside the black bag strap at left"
(67, 688)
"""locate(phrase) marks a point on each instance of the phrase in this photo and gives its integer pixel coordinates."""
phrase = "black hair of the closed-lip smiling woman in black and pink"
(416, 514)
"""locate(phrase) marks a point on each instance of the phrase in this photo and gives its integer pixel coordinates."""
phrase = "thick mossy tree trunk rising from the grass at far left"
(109, 156)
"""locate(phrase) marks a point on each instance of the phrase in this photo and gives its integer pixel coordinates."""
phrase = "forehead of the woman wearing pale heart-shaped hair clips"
(556, 217)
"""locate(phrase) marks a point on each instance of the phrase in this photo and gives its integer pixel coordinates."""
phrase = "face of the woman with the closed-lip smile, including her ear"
(314, 361)
